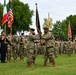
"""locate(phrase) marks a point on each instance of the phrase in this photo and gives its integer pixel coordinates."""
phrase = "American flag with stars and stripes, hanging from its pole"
(10, 15)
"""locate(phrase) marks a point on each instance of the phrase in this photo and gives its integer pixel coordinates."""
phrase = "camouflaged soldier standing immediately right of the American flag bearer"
(16, 45)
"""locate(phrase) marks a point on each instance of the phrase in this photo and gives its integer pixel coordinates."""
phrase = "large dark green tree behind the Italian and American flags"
(22, 16)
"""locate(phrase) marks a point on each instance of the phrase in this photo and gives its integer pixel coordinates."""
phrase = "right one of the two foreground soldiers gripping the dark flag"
(49, 43)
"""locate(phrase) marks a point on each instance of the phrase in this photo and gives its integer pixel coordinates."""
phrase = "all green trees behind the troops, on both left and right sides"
(23, 19)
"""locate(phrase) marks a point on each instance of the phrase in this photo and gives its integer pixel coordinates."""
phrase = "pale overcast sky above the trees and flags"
(58, 9)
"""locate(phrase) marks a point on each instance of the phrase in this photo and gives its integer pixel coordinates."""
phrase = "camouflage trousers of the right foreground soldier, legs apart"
(49, 54)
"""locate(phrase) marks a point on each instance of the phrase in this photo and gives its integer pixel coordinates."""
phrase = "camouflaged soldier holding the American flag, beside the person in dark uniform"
(9, 48)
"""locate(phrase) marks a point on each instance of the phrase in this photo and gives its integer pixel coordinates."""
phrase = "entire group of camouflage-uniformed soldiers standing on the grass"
(30, 46)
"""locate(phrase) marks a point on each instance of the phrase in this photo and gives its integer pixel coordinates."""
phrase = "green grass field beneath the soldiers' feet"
(64, 66)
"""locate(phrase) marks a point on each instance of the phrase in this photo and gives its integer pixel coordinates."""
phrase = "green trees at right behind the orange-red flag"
(60, 29)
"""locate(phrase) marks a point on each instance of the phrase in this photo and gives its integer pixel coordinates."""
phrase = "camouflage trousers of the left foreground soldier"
(30, 56)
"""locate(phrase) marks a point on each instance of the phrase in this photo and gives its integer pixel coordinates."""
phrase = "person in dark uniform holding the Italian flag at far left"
(4, 43)
